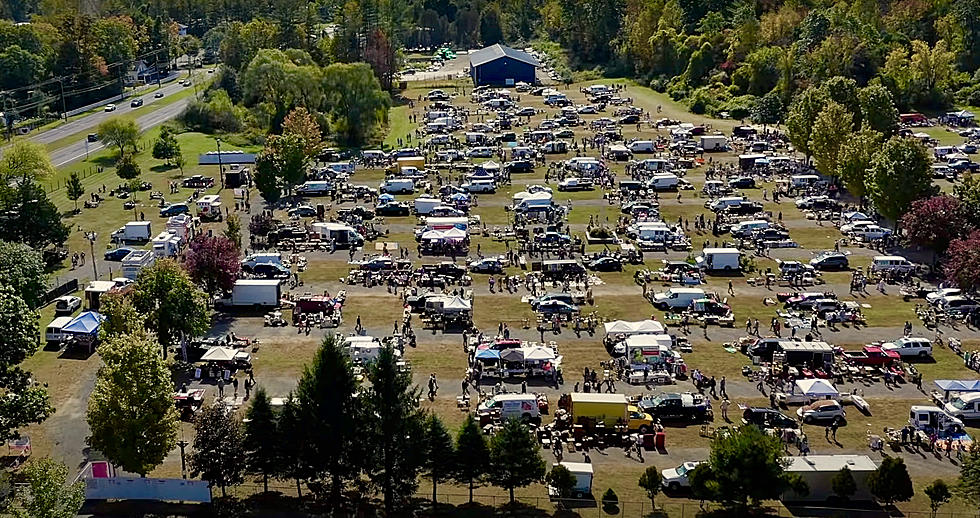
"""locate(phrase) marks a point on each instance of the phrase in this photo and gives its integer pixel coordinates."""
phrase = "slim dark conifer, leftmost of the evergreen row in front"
(262, 435)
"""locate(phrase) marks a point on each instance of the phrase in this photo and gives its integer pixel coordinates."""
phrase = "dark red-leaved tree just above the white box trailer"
(212, 262)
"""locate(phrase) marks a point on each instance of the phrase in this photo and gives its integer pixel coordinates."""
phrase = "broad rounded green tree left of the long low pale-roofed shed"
(747, 450)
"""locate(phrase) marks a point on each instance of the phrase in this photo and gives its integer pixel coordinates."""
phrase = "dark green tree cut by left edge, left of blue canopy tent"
(24, 402)
